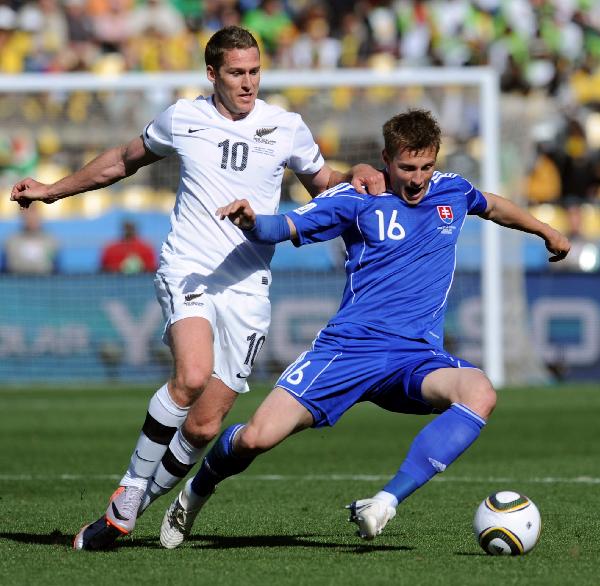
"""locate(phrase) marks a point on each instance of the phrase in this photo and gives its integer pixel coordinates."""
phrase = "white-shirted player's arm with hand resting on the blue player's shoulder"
(363, 178)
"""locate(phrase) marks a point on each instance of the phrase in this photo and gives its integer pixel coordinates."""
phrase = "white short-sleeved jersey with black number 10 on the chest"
(222, 160)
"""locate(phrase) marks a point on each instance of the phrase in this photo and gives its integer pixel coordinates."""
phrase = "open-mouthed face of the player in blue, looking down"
(410, 173)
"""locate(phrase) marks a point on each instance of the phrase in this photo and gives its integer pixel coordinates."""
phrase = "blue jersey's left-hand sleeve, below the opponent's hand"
(326, 216)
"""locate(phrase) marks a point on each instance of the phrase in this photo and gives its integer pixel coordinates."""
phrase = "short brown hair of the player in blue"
(413, 131)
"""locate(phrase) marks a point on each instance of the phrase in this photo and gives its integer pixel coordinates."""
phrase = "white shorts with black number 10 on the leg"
(240, 323)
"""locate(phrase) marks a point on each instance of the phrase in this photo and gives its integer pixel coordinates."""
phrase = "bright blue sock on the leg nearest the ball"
(436, 446)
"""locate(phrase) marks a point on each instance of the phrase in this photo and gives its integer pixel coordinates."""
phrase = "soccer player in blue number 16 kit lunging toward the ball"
(385, 343)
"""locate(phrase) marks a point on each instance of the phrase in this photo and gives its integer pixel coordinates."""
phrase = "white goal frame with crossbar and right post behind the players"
(484, 80)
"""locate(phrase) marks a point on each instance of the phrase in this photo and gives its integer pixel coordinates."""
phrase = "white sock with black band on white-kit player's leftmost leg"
(163, 419)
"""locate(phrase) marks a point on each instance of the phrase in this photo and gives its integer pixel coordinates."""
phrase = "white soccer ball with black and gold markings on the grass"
(507, 523)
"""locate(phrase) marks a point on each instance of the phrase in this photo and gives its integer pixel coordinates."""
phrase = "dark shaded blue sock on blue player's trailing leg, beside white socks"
(220, 463)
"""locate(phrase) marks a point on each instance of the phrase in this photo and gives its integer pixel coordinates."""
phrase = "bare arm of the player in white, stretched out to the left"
(106, 169)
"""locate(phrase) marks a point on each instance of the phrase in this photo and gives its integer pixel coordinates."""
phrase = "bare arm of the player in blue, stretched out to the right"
(502, 211)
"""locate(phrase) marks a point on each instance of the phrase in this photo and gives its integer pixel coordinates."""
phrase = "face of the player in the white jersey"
(236, 82)
